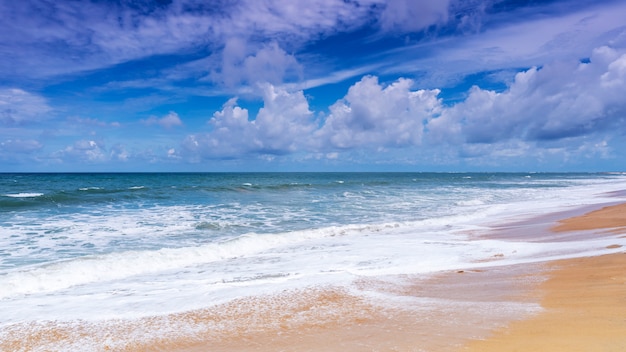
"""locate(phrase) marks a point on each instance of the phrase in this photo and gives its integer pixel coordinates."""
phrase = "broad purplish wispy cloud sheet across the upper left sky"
(101, 34)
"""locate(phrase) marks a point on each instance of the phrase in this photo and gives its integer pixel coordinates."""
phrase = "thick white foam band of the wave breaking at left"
(65, 274)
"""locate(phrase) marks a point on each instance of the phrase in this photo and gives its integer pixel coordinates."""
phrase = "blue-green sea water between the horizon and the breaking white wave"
(47, 217)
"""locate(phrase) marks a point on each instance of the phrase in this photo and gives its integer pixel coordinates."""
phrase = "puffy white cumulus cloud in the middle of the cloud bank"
(372, 115)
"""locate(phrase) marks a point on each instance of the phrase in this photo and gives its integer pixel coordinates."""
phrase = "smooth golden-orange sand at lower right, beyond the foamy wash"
(584, 299)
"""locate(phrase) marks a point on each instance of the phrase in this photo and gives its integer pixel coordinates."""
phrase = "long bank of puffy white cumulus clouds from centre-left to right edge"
(561, 101)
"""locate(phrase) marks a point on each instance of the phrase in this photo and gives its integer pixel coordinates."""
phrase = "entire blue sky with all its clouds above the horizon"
(318, 85)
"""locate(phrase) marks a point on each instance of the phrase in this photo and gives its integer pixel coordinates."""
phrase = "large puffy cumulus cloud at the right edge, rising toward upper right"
(557, 101)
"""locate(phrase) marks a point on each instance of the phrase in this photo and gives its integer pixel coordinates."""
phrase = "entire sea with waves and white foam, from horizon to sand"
(93, 247)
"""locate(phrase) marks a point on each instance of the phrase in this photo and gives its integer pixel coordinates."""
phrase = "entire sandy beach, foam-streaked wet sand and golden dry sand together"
(566, 305)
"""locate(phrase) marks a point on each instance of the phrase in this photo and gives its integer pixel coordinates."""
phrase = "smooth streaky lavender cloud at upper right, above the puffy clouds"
(524, 37)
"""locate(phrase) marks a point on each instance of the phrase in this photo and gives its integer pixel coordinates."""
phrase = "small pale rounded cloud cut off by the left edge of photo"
(19, 107)
